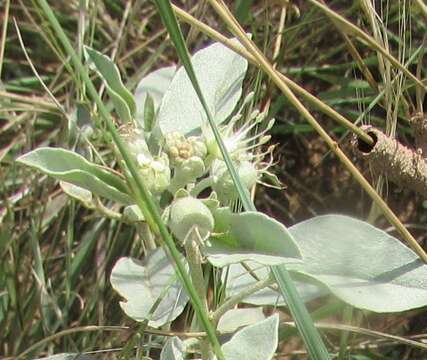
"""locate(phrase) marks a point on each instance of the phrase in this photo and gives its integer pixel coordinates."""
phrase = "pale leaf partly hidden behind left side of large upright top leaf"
(155, 83)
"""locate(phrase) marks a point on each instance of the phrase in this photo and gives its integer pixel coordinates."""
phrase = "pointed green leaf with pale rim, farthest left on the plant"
(68, 166)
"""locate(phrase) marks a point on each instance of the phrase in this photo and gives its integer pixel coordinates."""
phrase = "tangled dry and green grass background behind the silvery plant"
(56, 256)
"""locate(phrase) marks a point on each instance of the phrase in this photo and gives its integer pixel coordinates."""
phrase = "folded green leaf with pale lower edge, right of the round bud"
(250, 236)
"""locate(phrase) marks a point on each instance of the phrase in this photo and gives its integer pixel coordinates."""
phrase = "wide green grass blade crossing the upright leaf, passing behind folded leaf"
(309, 333)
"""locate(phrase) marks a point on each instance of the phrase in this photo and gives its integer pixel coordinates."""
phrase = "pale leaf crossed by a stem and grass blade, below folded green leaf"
(238, 279)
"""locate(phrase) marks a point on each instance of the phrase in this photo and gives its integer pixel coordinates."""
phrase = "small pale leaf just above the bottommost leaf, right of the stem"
(236, 318)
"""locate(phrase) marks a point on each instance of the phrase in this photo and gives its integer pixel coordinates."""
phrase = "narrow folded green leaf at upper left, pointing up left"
(122, 98)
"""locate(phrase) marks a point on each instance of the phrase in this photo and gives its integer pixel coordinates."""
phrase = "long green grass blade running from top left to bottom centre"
(143, 198)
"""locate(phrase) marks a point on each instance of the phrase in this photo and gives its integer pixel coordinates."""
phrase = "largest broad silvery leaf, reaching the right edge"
(360, 264)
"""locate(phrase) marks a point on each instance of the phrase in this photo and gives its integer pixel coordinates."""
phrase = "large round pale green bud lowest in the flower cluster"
(187, 214)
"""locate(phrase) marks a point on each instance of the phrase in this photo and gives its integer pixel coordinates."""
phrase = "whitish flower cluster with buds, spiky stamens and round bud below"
(188, 166)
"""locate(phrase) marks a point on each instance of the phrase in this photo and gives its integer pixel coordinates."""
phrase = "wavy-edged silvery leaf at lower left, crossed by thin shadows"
(147, 283)
